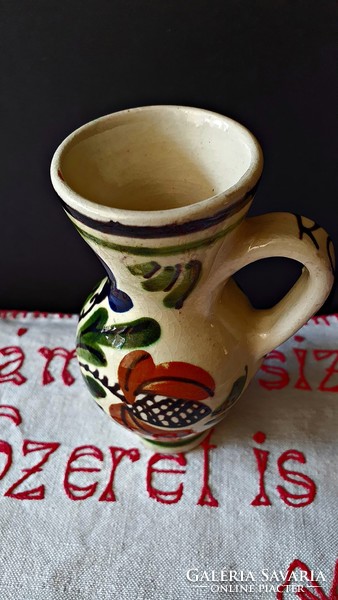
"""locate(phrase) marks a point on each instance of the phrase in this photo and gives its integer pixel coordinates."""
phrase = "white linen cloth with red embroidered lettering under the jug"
(255, 503)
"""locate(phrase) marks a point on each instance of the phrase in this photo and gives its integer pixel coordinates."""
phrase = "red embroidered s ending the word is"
(295, 500)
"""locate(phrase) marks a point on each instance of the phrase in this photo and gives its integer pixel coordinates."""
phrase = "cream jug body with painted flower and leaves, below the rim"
(155, 341)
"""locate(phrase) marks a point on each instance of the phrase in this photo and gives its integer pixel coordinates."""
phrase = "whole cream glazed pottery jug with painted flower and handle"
(167, 342)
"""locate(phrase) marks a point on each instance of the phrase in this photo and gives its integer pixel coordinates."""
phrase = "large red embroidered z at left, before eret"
(37, 493)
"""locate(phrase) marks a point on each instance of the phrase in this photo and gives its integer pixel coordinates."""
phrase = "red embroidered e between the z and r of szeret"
(73, 490)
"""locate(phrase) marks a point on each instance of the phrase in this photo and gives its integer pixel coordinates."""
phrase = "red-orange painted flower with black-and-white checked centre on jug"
(166, 396)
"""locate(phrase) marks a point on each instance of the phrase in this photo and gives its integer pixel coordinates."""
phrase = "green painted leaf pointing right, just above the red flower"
(136, 334)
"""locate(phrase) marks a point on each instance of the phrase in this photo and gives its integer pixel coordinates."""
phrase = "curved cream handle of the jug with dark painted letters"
(290, 236)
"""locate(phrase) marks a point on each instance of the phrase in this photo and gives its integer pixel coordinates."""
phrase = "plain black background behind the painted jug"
(270, 64)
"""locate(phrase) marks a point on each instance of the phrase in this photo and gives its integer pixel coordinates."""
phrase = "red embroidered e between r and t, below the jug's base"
(165, 497)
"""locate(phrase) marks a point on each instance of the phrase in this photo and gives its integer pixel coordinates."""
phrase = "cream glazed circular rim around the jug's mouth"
(242, 191)
